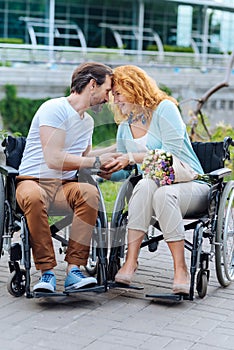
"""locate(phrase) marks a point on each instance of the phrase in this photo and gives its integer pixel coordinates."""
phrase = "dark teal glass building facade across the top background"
(110, 24)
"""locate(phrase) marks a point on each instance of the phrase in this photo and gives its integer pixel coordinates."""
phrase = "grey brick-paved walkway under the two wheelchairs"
(119, 319)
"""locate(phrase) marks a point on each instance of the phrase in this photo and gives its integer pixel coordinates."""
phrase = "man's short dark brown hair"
(87, 71)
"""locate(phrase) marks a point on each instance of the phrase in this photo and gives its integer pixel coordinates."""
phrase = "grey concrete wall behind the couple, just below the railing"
(37, 81)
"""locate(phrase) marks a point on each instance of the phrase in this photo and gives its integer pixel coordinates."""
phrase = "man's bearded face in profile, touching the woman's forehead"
(100, 93)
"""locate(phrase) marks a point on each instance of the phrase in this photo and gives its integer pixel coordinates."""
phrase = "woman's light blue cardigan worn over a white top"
(167, 131)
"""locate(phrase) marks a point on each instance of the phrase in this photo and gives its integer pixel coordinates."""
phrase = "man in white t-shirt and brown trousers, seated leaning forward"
(57, 145)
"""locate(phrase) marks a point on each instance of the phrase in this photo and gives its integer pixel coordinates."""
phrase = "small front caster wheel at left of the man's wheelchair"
(16, 283)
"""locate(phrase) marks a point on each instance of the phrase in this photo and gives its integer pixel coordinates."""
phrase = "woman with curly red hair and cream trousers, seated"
(149, 119)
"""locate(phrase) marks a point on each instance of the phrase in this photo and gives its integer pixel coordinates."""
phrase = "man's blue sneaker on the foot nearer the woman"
(75, 280)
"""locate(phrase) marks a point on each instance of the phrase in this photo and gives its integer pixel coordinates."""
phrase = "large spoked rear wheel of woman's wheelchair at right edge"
(225, 236)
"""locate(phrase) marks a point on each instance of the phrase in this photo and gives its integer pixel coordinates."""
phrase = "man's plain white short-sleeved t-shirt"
(57, 113)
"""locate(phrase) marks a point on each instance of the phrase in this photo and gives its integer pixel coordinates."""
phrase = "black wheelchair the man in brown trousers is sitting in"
(12, 220)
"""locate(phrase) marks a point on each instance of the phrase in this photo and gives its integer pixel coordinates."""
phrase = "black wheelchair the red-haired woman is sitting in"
(216, 225)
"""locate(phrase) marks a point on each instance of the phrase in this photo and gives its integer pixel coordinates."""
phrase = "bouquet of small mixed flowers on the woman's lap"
(157, 165)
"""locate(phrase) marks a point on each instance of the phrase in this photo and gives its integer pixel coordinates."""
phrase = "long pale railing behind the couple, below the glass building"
(11, 54)
